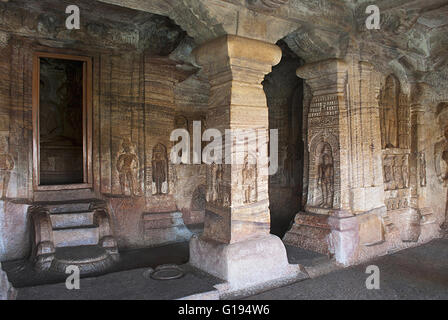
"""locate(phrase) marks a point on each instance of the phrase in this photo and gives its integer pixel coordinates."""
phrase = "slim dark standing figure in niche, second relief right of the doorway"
(159, 170)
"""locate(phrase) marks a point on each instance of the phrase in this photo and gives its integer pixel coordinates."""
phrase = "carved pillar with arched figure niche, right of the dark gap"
(344, 167)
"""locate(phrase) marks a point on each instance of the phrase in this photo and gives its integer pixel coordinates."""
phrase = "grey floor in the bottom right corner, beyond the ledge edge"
(417, 273)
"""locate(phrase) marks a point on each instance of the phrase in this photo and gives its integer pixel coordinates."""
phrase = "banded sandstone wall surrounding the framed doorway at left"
(133, 102)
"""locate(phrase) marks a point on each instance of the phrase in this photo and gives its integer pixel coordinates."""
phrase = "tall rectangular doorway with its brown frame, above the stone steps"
(61, 121)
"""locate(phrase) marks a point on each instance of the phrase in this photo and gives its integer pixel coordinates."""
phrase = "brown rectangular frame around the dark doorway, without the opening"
(86, 120)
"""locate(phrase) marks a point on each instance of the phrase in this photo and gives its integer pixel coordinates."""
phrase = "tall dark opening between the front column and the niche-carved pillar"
(284, 92)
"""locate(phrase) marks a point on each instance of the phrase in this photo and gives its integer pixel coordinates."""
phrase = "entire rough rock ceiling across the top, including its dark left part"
(412, 40)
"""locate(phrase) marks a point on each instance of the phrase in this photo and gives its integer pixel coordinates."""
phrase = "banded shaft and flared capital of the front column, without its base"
(238, 201)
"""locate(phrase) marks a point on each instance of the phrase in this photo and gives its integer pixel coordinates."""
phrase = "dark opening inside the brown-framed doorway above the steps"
(60, 122)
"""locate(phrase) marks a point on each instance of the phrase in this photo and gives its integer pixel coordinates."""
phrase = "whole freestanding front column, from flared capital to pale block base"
(236, 244)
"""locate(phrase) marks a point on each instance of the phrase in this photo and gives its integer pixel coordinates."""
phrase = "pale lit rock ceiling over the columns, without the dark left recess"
(412, 40)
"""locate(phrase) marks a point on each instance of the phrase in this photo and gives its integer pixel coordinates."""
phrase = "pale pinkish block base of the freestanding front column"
(243, 264)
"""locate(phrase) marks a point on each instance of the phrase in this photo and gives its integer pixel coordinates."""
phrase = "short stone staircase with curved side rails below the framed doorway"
(73, 232)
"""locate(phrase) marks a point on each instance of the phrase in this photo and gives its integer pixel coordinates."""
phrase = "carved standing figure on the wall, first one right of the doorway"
(127, 167)
